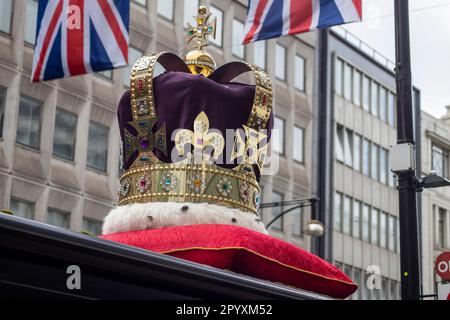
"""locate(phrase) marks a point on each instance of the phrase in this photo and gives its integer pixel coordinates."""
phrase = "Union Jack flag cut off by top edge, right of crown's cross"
(275, 18)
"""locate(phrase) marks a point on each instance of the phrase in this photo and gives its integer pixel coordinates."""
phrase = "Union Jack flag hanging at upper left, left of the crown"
(75, 37)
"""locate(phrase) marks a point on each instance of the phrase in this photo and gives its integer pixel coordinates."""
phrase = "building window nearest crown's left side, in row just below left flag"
(97, 146)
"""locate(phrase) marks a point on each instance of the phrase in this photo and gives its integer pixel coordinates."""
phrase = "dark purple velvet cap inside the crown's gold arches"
(180, 97)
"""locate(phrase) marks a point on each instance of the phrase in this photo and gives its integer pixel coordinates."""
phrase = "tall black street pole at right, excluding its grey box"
(409, 242)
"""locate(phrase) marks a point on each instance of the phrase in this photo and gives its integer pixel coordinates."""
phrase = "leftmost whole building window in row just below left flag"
(29, 122)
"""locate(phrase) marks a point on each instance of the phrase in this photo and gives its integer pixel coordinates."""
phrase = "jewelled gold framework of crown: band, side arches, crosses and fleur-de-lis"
(150, 180)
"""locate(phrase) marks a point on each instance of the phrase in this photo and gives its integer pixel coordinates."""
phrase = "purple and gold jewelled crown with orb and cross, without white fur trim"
(191, 134)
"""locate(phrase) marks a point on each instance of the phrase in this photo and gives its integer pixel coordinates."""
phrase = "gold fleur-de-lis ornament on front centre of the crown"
(200, 138)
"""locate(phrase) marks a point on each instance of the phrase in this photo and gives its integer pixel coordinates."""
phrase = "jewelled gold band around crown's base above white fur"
(189, 183)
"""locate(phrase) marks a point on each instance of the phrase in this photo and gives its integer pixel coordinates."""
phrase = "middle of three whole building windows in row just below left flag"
(64, 135)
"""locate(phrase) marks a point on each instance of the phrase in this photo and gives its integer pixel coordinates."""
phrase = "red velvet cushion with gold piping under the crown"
(244, 251)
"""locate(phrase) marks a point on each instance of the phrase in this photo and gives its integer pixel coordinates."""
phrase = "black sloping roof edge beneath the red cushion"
(34, 258)
